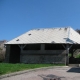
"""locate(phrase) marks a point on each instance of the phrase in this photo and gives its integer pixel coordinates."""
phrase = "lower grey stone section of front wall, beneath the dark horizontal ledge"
(42, 59)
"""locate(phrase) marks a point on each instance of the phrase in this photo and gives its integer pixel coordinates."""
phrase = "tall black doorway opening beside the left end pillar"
(14, 54)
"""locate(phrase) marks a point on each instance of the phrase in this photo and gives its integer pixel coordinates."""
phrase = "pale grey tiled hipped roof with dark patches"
(48, 35)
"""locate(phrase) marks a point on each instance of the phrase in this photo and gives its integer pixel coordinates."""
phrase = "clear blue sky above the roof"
(20, 16)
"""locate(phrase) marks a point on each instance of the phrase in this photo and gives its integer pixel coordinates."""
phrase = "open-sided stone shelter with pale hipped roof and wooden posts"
(48, 45)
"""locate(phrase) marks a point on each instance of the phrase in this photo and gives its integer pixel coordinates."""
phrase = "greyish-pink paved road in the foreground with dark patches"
(64, 73)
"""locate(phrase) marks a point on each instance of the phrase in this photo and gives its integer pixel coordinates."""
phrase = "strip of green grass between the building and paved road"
(8, 68)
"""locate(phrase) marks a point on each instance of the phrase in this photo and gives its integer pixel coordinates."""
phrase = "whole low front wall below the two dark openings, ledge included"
(48, 57)
